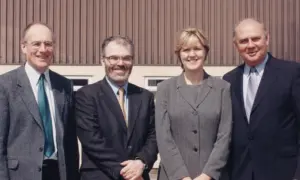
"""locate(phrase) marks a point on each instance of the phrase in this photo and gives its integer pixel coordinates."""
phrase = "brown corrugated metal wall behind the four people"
(81, 26)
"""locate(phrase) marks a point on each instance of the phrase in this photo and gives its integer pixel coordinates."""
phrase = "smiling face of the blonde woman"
(192, 54)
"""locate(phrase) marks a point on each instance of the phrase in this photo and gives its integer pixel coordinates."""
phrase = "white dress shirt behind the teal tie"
(34, 76)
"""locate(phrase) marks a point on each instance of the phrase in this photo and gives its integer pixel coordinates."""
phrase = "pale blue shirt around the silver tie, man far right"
(260, 70)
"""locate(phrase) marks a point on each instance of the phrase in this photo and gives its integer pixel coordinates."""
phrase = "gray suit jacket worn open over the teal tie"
(21, 129)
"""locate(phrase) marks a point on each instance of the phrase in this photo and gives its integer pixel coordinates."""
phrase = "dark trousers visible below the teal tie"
(50, 170)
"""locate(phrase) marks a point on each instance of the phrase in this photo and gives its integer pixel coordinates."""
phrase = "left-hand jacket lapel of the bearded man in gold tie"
(110, 98)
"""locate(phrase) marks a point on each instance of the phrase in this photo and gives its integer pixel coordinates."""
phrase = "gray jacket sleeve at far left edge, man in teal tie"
(4, 127)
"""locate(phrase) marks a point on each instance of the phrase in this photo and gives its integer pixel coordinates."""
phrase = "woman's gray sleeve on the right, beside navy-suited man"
(219, 155)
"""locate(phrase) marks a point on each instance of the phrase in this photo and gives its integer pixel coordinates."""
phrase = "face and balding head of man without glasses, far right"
(251, 41)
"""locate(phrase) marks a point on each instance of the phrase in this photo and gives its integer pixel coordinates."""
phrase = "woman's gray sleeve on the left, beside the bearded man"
(169, 152)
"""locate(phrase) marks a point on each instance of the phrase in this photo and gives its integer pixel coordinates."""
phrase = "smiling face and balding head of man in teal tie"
(38, 47)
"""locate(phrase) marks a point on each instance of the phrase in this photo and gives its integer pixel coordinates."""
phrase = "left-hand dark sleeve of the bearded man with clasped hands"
(92, 141)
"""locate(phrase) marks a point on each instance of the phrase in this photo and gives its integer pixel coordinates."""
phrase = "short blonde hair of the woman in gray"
(185, 35)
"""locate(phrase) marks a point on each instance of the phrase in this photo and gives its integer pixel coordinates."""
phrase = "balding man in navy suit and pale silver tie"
(266, 109)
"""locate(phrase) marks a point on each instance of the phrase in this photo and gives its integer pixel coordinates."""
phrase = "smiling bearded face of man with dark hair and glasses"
(118, 62)
